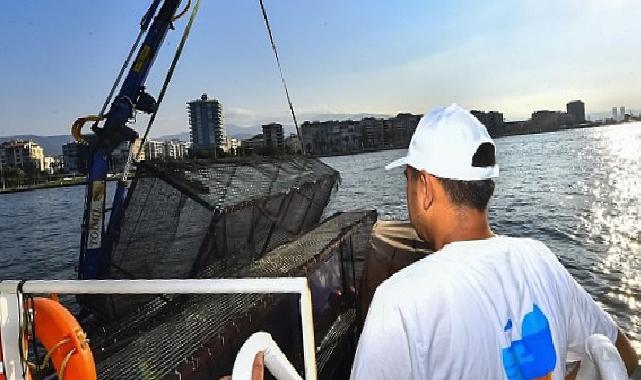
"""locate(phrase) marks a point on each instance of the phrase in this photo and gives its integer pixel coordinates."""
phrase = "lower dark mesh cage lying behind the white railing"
(199, 336)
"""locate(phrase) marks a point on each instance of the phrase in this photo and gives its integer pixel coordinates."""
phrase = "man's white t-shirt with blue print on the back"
(500, 308)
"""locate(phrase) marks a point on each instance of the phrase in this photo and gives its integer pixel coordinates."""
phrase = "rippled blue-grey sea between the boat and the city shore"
(579, 191)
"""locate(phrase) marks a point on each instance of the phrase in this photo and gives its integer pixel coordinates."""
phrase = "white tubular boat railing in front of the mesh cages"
(11, 305)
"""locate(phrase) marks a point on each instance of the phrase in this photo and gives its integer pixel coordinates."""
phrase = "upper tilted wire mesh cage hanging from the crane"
(183, 216)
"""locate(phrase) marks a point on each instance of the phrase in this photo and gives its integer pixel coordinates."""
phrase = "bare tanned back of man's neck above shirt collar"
(465, 224)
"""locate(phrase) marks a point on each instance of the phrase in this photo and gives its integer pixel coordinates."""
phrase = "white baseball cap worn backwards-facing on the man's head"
(444, 143)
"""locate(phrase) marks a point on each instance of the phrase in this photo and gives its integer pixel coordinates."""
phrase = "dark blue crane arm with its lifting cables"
(97, 238)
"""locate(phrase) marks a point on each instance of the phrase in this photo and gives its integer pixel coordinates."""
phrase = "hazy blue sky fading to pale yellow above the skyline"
(59, 58)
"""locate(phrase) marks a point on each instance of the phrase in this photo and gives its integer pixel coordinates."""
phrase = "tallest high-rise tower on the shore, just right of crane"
(206, 124)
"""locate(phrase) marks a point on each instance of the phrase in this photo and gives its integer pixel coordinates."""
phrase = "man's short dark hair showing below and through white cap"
(474, 194)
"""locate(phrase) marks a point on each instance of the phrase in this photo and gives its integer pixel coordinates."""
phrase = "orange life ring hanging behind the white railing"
(64, 339)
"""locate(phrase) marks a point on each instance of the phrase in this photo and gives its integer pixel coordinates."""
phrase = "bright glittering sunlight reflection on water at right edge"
(614, 213)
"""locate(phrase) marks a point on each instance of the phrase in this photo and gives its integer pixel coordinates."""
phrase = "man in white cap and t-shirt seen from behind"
(482, 306)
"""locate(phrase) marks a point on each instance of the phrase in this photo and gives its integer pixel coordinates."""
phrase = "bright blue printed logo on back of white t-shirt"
(532, 357)
